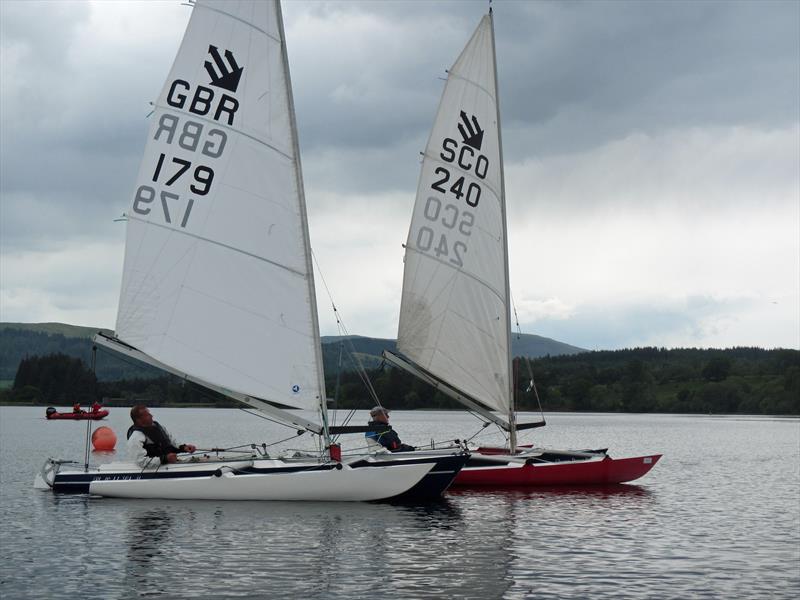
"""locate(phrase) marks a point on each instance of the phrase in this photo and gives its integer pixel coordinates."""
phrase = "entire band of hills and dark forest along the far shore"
(688, 380)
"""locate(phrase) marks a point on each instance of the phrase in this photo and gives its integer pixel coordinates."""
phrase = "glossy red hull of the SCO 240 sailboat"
(592, 472)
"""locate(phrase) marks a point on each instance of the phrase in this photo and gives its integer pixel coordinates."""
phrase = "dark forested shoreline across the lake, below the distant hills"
(730, 381)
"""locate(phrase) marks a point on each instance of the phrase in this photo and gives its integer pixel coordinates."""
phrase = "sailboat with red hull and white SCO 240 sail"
(454, 329)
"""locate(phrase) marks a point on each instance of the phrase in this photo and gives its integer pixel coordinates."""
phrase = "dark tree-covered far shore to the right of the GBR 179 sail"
(738, 380)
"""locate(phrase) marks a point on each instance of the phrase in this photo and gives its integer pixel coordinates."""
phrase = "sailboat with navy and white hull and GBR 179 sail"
(218, 283)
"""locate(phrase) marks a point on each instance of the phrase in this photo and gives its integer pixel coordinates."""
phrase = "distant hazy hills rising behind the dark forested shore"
(18, 340)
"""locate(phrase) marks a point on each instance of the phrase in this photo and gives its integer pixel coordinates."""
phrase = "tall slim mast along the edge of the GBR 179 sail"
(323, 408)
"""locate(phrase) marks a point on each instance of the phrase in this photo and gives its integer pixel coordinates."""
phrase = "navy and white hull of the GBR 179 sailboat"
(357, 479)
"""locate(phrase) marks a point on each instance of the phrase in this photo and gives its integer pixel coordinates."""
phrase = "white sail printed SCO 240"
(454, 316)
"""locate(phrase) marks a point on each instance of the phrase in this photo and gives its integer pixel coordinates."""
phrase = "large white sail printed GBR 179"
(217, 280)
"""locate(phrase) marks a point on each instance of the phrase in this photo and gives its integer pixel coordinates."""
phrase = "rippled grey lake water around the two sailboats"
(718, 517)
